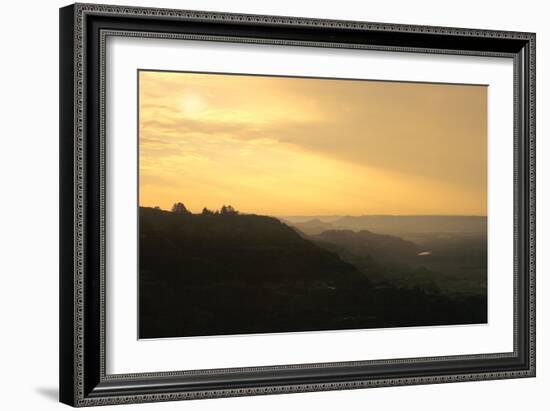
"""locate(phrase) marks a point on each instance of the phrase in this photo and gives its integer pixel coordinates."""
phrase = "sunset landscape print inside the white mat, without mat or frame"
(277, 204)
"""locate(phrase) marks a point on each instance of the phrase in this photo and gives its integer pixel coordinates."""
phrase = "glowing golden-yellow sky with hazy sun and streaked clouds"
(297, 146)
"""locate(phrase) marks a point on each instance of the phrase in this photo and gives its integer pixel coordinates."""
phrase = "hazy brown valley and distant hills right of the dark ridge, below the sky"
(443, 253)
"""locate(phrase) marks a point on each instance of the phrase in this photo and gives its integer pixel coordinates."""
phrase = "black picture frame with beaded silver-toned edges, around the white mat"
(83, 30)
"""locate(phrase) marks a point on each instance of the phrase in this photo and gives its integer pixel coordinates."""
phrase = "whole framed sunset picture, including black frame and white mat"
(261, 204)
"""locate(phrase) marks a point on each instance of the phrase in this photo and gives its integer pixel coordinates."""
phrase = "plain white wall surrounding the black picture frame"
(29, 205)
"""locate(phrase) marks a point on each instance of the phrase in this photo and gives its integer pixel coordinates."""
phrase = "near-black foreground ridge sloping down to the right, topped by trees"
(214, 274)
